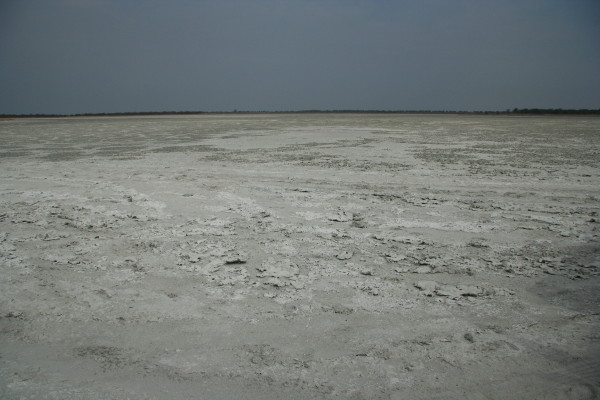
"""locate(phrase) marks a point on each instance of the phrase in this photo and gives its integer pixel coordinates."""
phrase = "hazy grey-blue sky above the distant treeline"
(80, 56)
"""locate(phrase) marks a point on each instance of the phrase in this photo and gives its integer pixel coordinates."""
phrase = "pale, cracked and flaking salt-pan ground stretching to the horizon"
(300, 256)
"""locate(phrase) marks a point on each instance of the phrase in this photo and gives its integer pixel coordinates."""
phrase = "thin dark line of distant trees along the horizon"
(514, 111)
